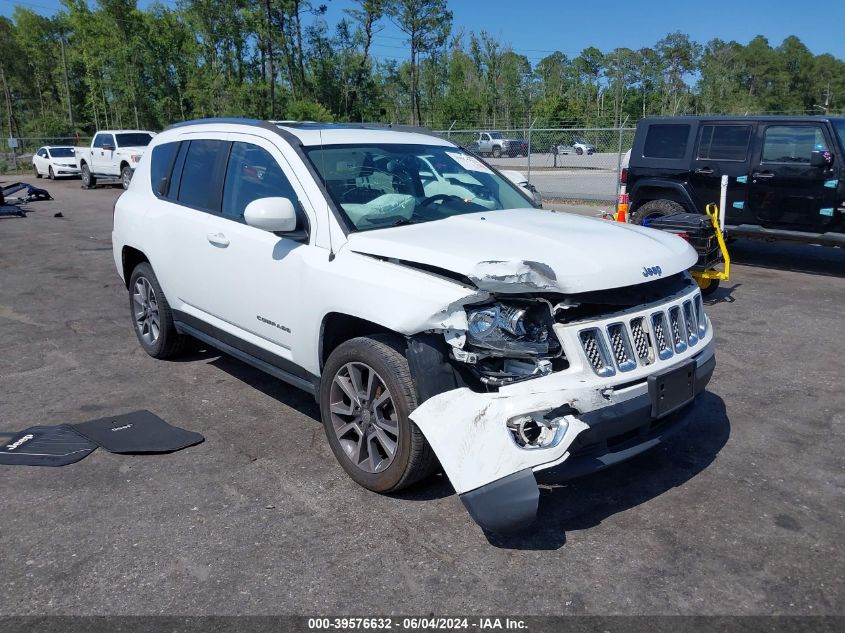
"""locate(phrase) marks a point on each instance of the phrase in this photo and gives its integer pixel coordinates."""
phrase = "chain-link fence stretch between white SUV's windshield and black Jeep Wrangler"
(563, 163)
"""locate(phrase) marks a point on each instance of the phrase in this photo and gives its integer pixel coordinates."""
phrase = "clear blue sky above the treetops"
(535, 27)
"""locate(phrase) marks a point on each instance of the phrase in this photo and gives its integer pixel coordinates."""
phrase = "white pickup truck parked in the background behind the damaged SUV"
(113, 155)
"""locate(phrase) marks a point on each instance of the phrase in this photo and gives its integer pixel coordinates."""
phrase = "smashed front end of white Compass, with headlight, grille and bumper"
(509, 394)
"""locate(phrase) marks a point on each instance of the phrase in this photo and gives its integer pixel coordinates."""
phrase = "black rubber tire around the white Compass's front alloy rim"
(413, 459)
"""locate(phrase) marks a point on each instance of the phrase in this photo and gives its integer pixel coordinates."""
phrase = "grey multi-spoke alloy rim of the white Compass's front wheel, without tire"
(364, 417)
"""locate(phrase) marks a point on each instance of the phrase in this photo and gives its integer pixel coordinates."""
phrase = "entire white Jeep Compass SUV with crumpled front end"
(440, 319)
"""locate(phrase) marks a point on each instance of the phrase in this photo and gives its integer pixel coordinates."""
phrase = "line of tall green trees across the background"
(111, 64)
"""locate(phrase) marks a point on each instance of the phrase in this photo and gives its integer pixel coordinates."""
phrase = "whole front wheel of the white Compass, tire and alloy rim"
(366, 397)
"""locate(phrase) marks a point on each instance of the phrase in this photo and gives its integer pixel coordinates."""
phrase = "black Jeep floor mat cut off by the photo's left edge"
(45, 446)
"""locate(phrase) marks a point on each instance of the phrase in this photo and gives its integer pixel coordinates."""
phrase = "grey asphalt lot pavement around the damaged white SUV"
(740, 514)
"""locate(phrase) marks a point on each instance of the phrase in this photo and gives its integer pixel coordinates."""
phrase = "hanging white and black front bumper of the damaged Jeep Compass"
(497, 480)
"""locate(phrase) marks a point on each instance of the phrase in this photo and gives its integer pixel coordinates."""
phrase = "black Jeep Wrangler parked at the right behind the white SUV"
(786, 175)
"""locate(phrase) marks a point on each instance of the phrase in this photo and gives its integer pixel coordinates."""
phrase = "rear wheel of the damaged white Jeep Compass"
(152, 317)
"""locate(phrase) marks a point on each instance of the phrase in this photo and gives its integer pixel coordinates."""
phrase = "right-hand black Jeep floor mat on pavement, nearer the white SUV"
(137, 432)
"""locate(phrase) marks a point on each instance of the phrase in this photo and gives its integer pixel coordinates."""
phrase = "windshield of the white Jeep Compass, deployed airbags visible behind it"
(388, 185)
